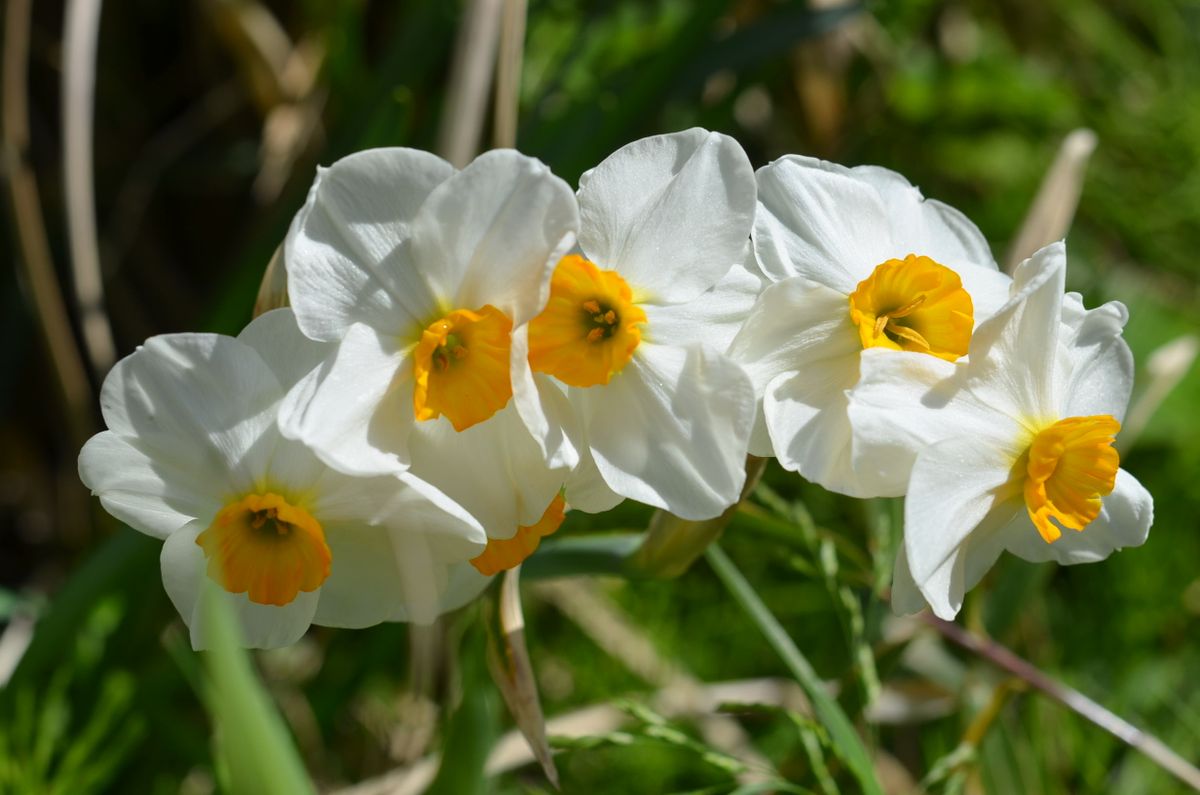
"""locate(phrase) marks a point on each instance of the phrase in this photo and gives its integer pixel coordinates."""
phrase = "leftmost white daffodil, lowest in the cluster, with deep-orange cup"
(194, 457)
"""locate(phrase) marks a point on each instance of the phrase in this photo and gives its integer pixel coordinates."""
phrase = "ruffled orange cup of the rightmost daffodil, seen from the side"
(1072, 465)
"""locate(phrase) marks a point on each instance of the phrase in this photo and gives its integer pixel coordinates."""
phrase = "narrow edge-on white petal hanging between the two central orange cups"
(543, 408)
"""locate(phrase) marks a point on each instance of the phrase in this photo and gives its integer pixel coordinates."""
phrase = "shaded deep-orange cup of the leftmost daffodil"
(265, 547)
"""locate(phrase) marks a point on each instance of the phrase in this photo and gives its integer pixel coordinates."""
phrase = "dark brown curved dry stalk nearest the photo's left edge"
(35, 259)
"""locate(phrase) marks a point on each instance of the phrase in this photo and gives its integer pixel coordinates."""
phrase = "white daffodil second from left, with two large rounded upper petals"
(427, 279)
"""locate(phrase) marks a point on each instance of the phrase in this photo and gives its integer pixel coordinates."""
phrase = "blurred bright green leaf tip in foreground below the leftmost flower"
(254, 749)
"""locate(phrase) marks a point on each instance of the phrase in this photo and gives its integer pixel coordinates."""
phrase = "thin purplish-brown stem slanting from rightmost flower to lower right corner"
(1001, 657)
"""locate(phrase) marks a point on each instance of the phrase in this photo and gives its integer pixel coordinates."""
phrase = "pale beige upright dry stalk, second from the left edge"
(81, 38)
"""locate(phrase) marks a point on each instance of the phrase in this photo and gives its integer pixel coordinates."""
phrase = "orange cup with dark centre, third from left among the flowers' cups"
(590, 328)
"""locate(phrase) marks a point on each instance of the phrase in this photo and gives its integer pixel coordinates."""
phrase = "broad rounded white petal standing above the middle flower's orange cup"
(671, 213)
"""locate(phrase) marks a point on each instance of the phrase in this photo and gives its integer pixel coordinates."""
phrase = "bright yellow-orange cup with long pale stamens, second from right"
(914, 304)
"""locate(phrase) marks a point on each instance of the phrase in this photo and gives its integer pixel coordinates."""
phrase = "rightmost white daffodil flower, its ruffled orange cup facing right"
(1013, 449)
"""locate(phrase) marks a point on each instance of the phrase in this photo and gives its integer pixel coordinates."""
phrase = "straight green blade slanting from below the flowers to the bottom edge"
(843, 738)
